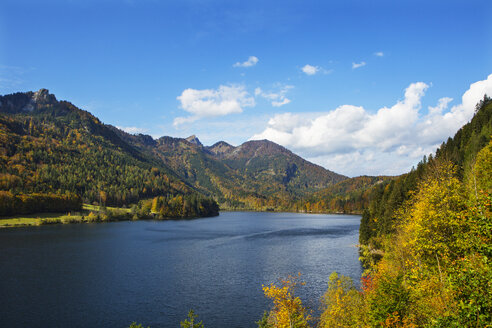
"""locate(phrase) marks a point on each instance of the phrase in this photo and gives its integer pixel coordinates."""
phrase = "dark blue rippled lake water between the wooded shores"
(109, 275)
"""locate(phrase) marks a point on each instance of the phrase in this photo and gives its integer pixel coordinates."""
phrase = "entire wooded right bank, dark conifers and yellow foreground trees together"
(427, 247)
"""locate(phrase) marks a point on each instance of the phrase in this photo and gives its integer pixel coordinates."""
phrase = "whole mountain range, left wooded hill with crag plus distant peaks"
(52, 146)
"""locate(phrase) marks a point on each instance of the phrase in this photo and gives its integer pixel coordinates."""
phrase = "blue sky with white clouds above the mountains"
(358, 87)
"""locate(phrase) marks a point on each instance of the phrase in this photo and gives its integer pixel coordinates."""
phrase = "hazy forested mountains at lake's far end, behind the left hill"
(257, 175)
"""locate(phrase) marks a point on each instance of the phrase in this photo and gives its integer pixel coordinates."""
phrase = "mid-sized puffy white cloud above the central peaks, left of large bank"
(213, 102)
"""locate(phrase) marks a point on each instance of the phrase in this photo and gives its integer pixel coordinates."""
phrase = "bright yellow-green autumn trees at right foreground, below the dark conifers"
(435, 269)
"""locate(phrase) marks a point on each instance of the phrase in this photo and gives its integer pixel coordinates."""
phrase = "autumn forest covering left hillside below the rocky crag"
(59, 148)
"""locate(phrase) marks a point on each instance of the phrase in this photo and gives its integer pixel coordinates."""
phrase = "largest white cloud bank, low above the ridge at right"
(353, 141)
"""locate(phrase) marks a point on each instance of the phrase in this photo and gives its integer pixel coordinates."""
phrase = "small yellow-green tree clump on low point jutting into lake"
(180, 206)
